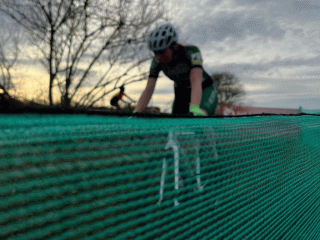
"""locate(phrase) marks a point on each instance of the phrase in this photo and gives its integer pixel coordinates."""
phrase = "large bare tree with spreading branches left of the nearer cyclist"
(75, 37)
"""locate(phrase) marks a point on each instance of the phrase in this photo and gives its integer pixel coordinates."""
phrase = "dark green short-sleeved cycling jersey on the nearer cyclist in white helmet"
(185, 58)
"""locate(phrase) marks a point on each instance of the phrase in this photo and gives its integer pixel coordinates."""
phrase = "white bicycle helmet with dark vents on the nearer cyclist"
(162, 37)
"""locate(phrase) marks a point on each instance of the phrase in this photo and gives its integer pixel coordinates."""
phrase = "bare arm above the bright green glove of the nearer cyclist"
(196, 85)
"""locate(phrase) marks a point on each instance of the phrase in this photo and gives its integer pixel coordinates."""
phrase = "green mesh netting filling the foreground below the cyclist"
(104, 177)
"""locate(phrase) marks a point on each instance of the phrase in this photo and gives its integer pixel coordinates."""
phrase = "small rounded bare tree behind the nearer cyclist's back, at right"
(230, 91)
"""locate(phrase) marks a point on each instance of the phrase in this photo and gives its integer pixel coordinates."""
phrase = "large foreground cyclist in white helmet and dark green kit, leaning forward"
(194, 90)
